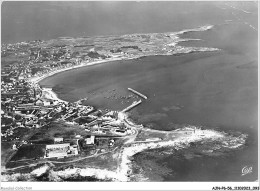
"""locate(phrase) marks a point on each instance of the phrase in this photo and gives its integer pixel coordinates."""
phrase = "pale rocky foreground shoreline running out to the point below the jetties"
(124, 171)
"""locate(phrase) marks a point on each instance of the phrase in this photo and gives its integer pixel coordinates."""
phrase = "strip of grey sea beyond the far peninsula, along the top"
(21, 21)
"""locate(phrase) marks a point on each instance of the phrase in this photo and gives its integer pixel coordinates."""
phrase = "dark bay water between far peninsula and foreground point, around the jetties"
(216, 90)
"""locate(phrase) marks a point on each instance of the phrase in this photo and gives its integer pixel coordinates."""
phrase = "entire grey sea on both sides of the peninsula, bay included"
(214, 90)
